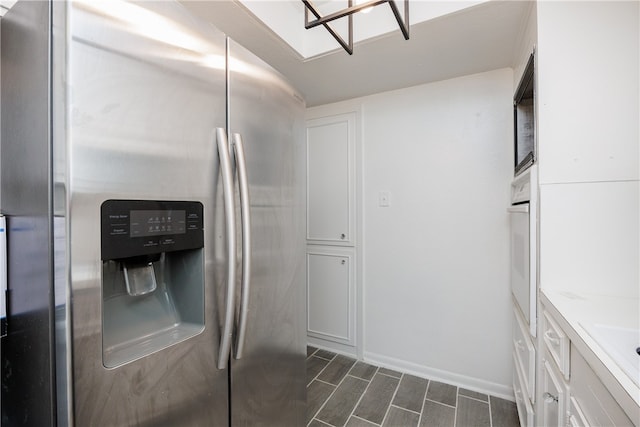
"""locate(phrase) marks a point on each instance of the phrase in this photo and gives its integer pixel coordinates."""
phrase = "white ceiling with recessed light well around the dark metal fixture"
(455, 38)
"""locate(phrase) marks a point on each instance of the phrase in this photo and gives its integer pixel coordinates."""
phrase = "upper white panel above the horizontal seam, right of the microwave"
(588, 91)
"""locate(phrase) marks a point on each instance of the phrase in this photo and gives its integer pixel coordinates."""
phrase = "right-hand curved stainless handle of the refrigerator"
(238, 148)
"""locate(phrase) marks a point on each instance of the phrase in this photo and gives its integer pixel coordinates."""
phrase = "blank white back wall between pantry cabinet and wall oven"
(435, 272)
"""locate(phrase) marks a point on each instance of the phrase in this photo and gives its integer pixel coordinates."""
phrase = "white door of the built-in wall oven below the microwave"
(521, 279)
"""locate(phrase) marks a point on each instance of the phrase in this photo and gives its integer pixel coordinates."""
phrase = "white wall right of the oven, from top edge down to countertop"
(589, 146)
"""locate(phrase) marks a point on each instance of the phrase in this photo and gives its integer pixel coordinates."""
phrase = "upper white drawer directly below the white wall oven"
(524, 354)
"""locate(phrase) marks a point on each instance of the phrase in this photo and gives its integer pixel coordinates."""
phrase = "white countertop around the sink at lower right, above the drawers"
(573, 310)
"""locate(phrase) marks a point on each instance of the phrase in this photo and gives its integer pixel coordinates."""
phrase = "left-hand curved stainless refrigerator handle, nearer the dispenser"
(229, 209)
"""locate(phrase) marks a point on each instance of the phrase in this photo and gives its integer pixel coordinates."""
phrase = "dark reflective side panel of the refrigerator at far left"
(28, 390)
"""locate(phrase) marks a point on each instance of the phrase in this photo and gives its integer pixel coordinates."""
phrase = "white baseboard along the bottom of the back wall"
(470, 383)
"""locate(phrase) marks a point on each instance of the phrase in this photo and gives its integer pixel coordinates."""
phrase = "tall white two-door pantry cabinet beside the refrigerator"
(331, 231)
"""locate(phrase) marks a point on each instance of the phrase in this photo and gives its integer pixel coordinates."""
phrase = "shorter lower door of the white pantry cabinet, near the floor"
(330, 295)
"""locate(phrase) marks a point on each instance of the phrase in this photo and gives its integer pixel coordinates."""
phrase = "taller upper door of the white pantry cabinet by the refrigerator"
(331, 180)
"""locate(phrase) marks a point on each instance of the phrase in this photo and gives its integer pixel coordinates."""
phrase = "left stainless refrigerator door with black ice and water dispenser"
(147, 92)
